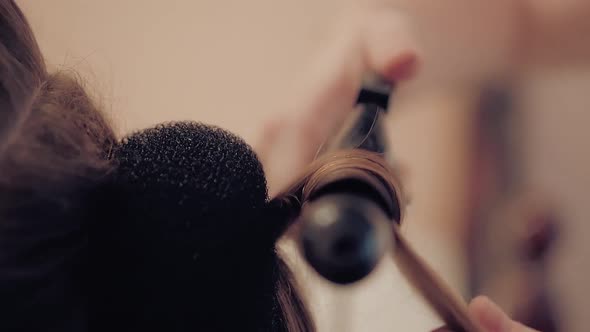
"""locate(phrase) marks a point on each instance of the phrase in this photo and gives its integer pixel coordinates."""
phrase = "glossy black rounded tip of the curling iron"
(344, 236)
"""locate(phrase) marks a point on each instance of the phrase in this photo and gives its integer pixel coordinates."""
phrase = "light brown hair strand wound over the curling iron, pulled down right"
(372, 166)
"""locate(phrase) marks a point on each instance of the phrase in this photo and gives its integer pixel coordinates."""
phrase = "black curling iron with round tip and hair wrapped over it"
(346, 220)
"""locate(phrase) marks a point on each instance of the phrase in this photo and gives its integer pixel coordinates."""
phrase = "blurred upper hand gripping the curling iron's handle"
(364, 40)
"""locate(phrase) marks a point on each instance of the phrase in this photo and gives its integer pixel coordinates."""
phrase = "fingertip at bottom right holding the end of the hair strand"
(491, 318)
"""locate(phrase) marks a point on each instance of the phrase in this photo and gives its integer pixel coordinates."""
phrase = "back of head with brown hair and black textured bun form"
(160, 258)
